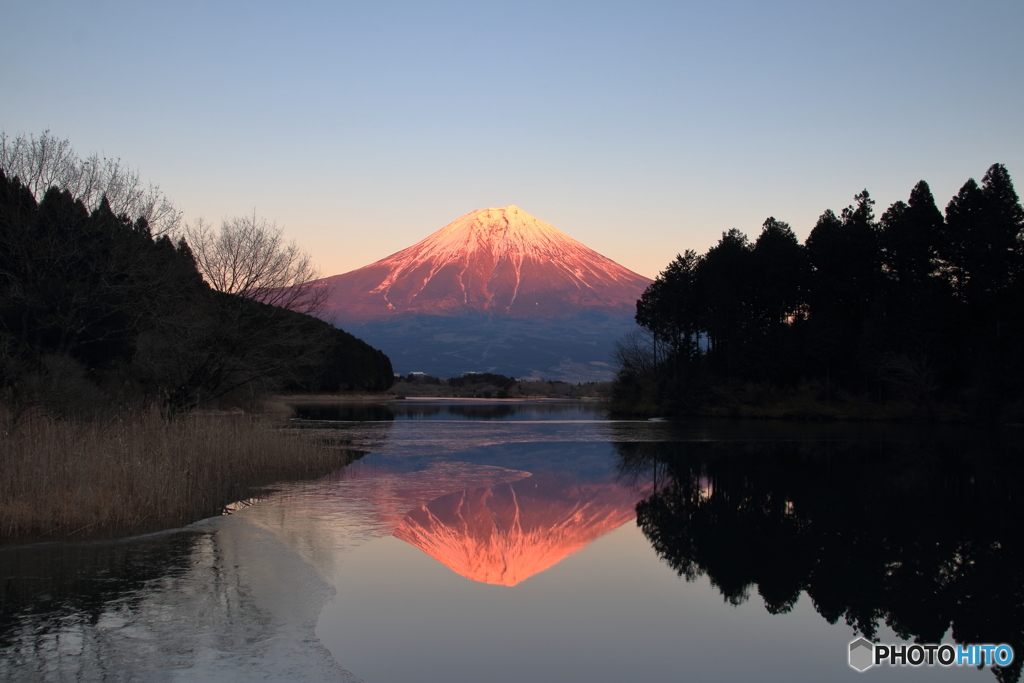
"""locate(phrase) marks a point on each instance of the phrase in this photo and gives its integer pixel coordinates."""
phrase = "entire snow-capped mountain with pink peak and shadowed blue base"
(497, 290)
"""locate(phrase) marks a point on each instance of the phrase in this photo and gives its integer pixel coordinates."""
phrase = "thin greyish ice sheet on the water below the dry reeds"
(242, 608)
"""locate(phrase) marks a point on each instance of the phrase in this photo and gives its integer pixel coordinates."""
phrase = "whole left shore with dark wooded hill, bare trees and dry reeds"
(117, 323)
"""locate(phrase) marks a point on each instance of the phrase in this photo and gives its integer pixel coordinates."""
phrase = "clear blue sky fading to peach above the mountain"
(639, 129)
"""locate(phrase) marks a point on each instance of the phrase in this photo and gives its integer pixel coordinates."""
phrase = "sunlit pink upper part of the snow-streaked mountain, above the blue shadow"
(500, 262)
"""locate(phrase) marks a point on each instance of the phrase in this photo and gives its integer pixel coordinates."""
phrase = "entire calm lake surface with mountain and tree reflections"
(522, 542)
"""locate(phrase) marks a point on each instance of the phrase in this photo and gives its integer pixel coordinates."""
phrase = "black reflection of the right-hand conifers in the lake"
(922, 536)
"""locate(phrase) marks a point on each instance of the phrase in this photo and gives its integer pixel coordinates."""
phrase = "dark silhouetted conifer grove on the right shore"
(912, 309)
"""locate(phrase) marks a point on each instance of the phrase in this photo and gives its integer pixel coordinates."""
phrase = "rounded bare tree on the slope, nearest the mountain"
(250, 258)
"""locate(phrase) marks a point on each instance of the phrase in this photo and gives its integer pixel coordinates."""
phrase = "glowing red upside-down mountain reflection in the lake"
(504, 535)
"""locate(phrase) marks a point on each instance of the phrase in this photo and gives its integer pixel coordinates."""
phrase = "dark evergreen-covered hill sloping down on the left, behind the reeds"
(95, 313)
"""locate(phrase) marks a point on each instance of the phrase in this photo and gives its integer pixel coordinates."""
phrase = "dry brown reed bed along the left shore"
(68, 480)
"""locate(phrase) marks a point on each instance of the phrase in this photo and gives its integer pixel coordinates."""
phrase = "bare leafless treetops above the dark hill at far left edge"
(47, 162)
